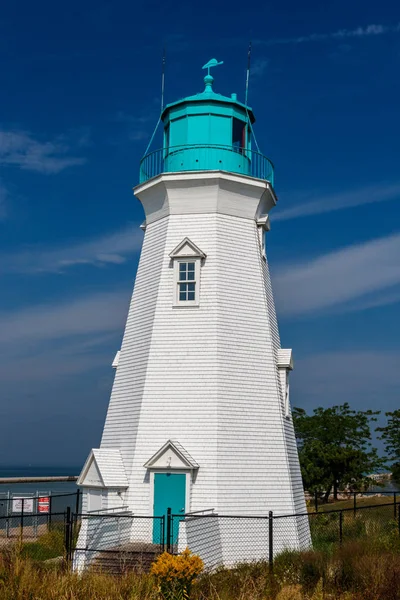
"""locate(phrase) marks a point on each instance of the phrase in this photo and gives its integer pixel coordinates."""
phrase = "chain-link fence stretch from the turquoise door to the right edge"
(229, 540)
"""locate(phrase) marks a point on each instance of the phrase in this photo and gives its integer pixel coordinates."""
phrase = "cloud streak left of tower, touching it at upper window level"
(111, 248)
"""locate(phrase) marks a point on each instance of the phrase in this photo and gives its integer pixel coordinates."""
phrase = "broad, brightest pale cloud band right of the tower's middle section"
(337, 279)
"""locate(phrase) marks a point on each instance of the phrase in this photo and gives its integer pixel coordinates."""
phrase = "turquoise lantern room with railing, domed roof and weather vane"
(207, 132)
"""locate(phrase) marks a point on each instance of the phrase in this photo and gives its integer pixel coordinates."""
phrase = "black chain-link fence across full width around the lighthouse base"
(120, 541)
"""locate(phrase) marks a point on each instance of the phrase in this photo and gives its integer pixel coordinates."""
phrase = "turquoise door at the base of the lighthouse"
(169, 492)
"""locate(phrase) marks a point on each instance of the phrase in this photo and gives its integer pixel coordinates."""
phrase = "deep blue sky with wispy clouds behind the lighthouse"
(80, 98)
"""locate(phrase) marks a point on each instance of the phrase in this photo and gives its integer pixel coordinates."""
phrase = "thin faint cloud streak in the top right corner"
(342, 34)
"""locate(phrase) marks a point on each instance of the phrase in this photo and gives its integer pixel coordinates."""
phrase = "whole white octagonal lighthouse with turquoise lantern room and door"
(199, 419)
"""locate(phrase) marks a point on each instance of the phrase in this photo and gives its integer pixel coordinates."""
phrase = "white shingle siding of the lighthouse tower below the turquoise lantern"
(209, 376)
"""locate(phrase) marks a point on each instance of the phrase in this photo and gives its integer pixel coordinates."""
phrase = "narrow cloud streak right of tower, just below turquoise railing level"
(339, 201)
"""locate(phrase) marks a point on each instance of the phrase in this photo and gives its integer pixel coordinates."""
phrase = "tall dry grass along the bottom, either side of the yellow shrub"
(356, 571)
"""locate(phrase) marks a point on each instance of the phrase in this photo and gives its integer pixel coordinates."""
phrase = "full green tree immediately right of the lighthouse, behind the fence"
(334, 447)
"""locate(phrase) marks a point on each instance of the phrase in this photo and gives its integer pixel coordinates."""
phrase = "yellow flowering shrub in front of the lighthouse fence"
(176, 573)
